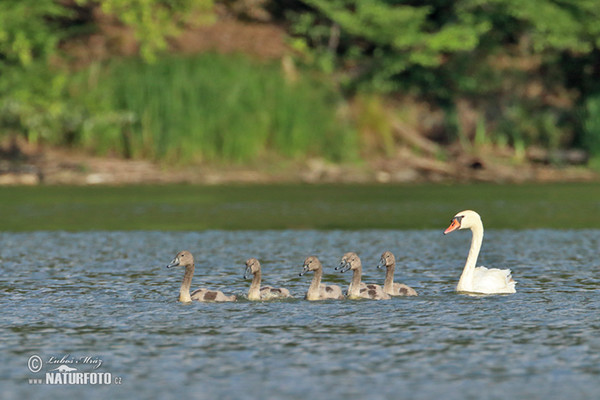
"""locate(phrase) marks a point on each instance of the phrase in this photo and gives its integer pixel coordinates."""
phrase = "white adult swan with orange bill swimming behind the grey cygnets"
(480, 280)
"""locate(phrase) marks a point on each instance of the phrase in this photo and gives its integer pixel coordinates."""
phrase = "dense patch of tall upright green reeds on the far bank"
(213, 107)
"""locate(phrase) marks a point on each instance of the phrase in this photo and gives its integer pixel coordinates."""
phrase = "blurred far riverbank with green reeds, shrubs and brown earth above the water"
(336, 112)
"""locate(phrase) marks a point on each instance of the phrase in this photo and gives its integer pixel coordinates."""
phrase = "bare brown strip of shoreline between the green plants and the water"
(22, 164)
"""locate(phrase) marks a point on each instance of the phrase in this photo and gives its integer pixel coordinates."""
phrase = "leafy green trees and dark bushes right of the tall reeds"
(487, 51)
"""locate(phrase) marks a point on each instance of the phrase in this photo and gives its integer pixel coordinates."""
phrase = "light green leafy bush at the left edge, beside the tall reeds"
(31, 100)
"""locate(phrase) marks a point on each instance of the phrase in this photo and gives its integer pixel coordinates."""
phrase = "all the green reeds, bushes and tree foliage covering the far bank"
(524, 65)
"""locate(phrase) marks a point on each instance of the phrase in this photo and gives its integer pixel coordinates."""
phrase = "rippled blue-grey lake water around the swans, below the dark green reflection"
(108, 296)
